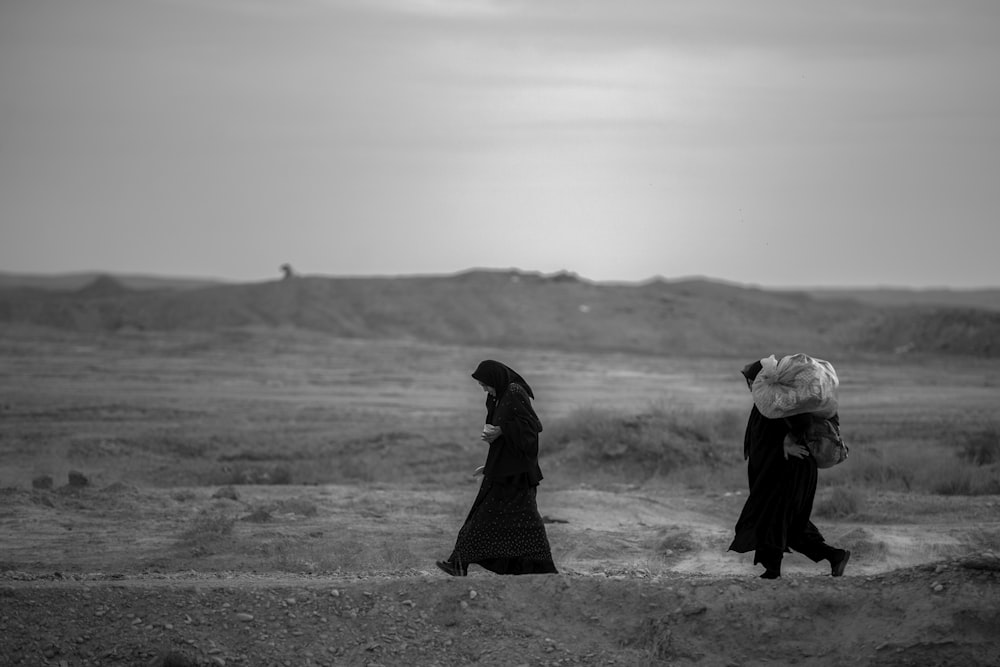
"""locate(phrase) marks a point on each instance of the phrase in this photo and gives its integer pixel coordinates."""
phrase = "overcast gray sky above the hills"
(787, 143)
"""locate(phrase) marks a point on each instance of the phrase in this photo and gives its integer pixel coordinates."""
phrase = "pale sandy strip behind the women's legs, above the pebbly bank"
(378, 528)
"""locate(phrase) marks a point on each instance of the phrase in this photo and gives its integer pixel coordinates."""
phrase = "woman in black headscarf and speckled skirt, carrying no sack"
(504, 532)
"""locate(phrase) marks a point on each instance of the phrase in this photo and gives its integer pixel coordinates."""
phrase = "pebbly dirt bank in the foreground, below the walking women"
(943, 613)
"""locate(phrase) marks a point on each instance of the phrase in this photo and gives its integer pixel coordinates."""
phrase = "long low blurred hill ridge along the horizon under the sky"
(684, 317)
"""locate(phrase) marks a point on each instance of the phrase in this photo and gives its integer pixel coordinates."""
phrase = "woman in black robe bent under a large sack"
(775, 518)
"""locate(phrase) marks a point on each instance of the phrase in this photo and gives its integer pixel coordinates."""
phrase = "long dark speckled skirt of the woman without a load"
(504, 532)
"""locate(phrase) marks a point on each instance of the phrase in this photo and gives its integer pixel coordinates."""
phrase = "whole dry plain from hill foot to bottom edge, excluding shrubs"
(260, 500)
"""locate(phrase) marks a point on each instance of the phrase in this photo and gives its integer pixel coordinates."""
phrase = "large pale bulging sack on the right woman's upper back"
(795, 385)
